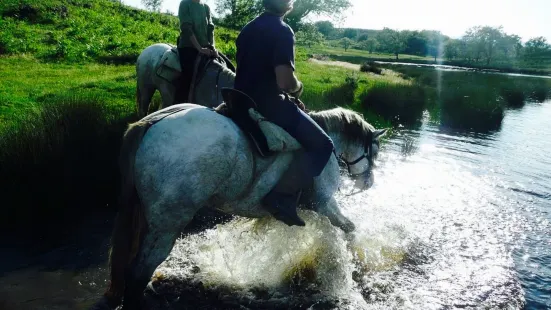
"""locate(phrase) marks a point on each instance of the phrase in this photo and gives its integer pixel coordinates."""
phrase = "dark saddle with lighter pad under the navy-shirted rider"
(267, 137)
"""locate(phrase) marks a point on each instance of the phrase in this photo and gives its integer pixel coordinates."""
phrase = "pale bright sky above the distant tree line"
(526, 18)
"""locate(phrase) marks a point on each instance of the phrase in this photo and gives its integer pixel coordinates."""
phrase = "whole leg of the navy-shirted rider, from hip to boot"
(309, 163)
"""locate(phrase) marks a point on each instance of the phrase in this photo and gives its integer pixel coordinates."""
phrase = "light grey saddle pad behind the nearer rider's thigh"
(278, 139)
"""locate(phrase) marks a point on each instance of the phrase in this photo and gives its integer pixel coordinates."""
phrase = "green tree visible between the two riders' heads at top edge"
(237, 13)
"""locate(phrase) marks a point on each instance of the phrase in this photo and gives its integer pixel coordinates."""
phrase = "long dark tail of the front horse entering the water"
(130, 223)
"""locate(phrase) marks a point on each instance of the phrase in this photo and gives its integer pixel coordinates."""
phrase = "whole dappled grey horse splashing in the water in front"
(195, 157)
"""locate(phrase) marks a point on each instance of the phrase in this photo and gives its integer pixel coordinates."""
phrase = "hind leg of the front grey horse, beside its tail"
(163, 230)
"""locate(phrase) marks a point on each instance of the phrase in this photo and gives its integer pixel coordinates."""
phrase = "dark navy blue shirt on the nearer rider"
(263, 44)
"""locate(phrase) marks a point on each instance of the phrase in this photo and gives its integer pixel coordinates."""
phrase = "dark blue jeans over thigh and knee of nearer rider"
(317, 144)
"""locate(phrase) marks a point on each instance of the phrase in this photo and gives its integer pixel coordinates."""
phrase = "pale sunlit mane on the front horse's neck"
(351, 124)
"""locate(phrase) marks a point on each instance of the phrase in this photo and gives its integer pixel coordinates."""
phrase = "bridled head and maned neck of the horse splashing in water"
(356, 142)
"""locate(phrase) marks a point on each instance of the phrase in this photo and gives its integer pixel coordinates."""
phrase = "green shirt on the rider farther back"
(195, 19)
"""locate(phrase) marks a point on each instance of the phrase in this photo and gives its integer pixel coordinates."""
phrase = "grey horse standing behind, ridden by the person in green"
(207, 88)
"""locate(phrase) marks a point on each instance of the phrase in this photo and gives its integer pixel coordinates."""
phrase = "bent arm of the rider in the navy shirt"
(284, 63)
